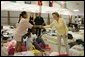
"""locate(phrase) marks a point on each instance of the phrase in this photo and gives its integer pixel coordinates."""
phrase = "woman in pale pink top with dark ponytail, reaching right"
(21, 30)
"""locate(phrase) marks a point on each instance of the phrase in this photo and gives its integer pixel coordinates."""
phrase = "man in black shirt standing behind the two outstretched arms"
(38, 21)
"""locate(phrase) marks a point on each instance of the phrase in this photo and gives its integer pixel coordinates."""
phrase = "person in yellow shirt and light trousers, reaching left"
(61, 29)
